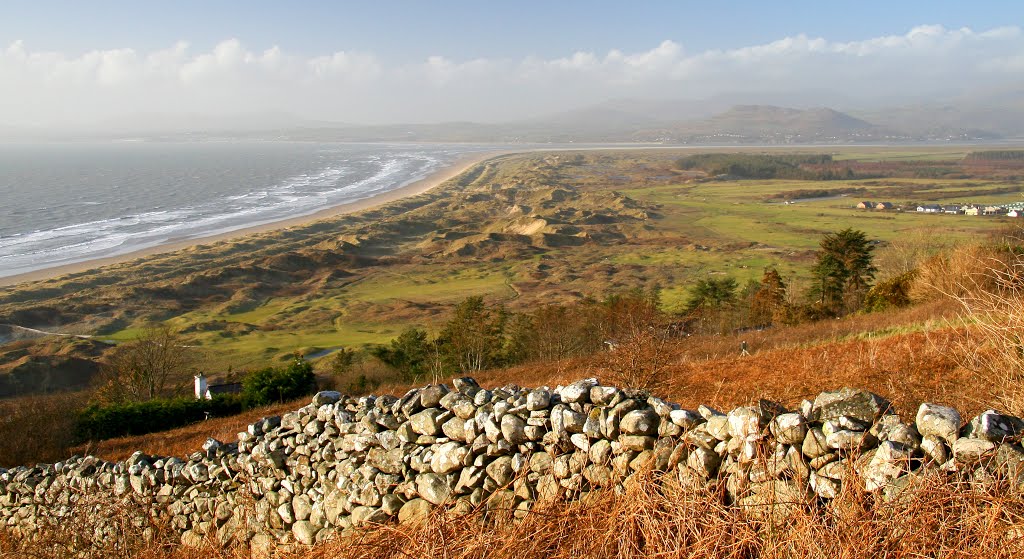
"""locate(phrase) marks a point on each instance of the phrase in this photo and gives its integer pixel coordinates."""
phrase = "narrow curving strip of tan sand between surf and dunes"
(456, 168)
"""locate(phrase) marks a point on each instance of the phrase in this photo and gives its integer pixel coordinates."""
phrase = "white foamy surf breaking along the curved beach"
(337, 181)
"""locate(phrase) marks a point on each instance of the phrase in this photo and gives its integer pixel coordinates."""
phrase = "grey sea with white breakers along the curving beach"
(69, 203)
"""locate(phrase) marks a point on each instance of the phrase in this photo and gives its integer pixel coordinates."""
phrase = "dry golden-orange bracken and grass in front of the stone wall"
(655, 518)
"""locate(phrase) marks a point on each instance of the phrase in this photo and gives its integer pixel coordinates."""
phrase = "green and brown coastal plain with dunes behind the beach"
(523, 230)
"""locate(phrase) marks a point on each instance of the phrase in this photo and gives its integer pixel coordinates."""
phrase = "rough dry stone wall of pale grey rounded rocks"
(342, 462)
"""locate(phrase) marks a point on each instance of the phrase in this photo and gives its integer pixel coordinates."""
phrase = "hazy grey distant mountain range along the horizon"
(982, 116)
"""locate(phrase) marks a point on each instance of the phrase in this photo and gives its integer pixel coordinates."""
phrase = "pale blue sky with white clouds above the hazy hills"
(77, 63)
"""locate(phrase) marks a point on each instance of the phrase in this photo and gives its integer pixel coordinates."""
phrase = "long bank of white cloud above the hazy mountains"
(39, 87)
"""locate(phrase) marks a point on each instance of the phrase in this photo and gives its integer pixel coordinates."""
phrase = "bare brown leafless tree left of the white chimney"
(156, 364)
